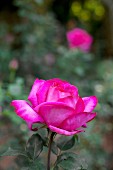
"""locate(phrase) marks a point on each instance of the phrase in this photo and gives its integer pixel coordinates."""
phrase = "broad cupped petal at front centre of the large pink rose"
(54, 113)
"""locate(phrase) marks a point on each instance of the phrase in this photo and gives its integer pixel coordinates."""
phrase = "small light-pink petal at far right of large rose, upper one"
(90, 103)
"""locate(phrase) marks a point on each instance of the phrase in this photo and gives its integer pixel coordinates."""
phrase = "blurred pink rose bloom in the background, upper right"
(79, 38)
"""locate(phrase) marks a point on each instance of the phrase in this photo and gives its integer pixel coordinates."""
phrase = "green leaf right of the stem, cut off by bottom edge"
(70, 161)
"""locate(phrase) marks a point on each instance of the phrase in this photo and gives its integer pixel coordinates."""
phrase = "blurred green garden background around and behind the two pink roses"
(33, 44)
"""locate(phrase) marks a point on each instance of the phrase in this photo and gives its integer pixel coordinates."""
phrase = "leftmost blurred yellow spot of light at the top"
(76, 8)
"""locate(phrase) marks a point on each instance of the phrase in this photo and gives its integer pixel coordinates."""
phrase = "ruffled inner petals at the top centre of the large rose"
(55, 89)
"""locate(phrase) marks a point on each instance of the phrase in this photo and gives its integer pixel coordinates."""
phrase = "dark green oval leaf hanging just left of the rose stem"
(34, 146)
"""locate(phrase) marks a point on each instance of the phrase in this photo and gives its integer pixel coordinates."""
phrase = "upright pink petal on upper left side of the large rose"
(35, 88)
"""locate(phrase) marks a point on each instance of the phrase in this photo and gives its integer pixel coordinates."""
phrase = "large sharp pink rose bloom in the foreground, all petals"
(56, 104)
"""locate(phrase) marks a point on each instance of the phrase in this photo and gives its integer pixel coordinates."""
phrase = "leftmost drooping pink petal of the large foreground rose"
(24, 110)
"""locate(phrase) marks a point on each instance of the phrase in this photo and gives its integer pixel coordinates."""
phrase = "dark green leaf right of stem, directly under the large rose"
(66, 142)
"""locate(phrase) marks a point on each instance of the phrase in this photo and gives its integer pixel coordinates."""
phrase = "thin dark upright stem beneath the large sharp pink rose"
(49, 150)
